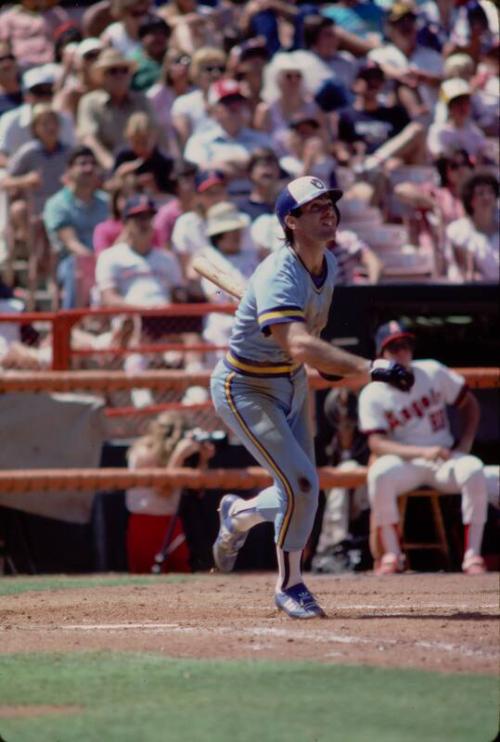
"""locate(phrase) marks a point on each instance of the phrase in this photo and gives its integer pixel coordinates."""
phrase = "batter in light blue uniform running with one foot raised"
(260, 388)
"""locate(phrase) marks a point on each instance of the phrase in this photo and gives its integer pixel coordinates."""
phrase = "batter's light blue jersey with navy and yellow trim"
(280, 290)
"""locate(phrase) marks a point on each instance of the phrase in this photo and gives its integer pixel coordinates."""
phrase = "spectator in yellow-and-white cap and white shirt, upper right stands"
(458, 131)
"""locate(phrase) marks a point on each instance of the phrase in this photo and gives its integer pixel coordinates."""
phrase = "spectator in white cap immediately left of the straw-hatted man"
(82, 78)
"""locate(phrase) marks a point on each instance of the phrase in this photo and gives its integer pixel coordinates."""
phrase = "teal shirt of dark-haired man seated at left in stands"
(63, 209)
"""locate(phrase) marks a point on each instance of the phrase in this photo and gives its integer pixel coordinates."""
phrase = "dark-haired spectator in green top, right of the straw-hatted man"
(154, 34)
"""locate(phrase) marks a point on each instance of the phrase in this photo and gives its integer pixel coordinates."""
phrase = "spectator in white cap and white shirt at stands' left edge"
(15, 126)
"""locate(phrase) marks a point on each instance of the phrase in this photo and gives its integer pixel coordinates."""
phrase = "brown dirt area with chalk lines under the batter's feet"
(442, 622)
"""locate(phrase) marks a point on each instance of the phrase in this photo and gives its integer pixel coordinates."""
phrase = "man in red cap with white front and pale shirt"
(230, 142)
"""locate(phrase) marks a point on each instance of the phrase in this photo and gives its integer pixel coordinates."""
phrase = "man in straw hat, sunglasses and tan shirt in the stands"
(103, 113)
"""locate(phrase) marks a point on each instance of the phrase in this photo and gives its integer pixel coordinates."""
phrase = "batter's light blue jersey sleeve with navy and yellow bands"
(279, 299)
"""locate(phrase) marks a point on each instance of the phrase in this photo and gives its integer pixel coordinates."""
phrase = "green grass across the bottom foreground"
(149, 698)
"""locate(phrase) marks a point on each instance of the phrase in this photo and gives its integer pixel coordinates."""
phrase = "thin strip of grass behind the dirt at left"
(17, 585)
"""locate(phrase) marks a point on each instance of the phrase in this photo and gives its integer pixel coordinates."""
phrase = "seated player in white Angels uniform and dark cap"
(409, 433)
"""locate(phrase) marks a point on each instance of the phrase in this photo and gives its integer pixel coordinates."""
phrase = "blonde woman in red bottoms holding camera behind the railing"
(153, 521)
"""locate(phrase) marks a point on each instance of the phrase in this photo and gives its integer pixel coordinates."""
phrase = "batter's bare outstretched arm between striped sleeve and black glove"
(302, 347)
